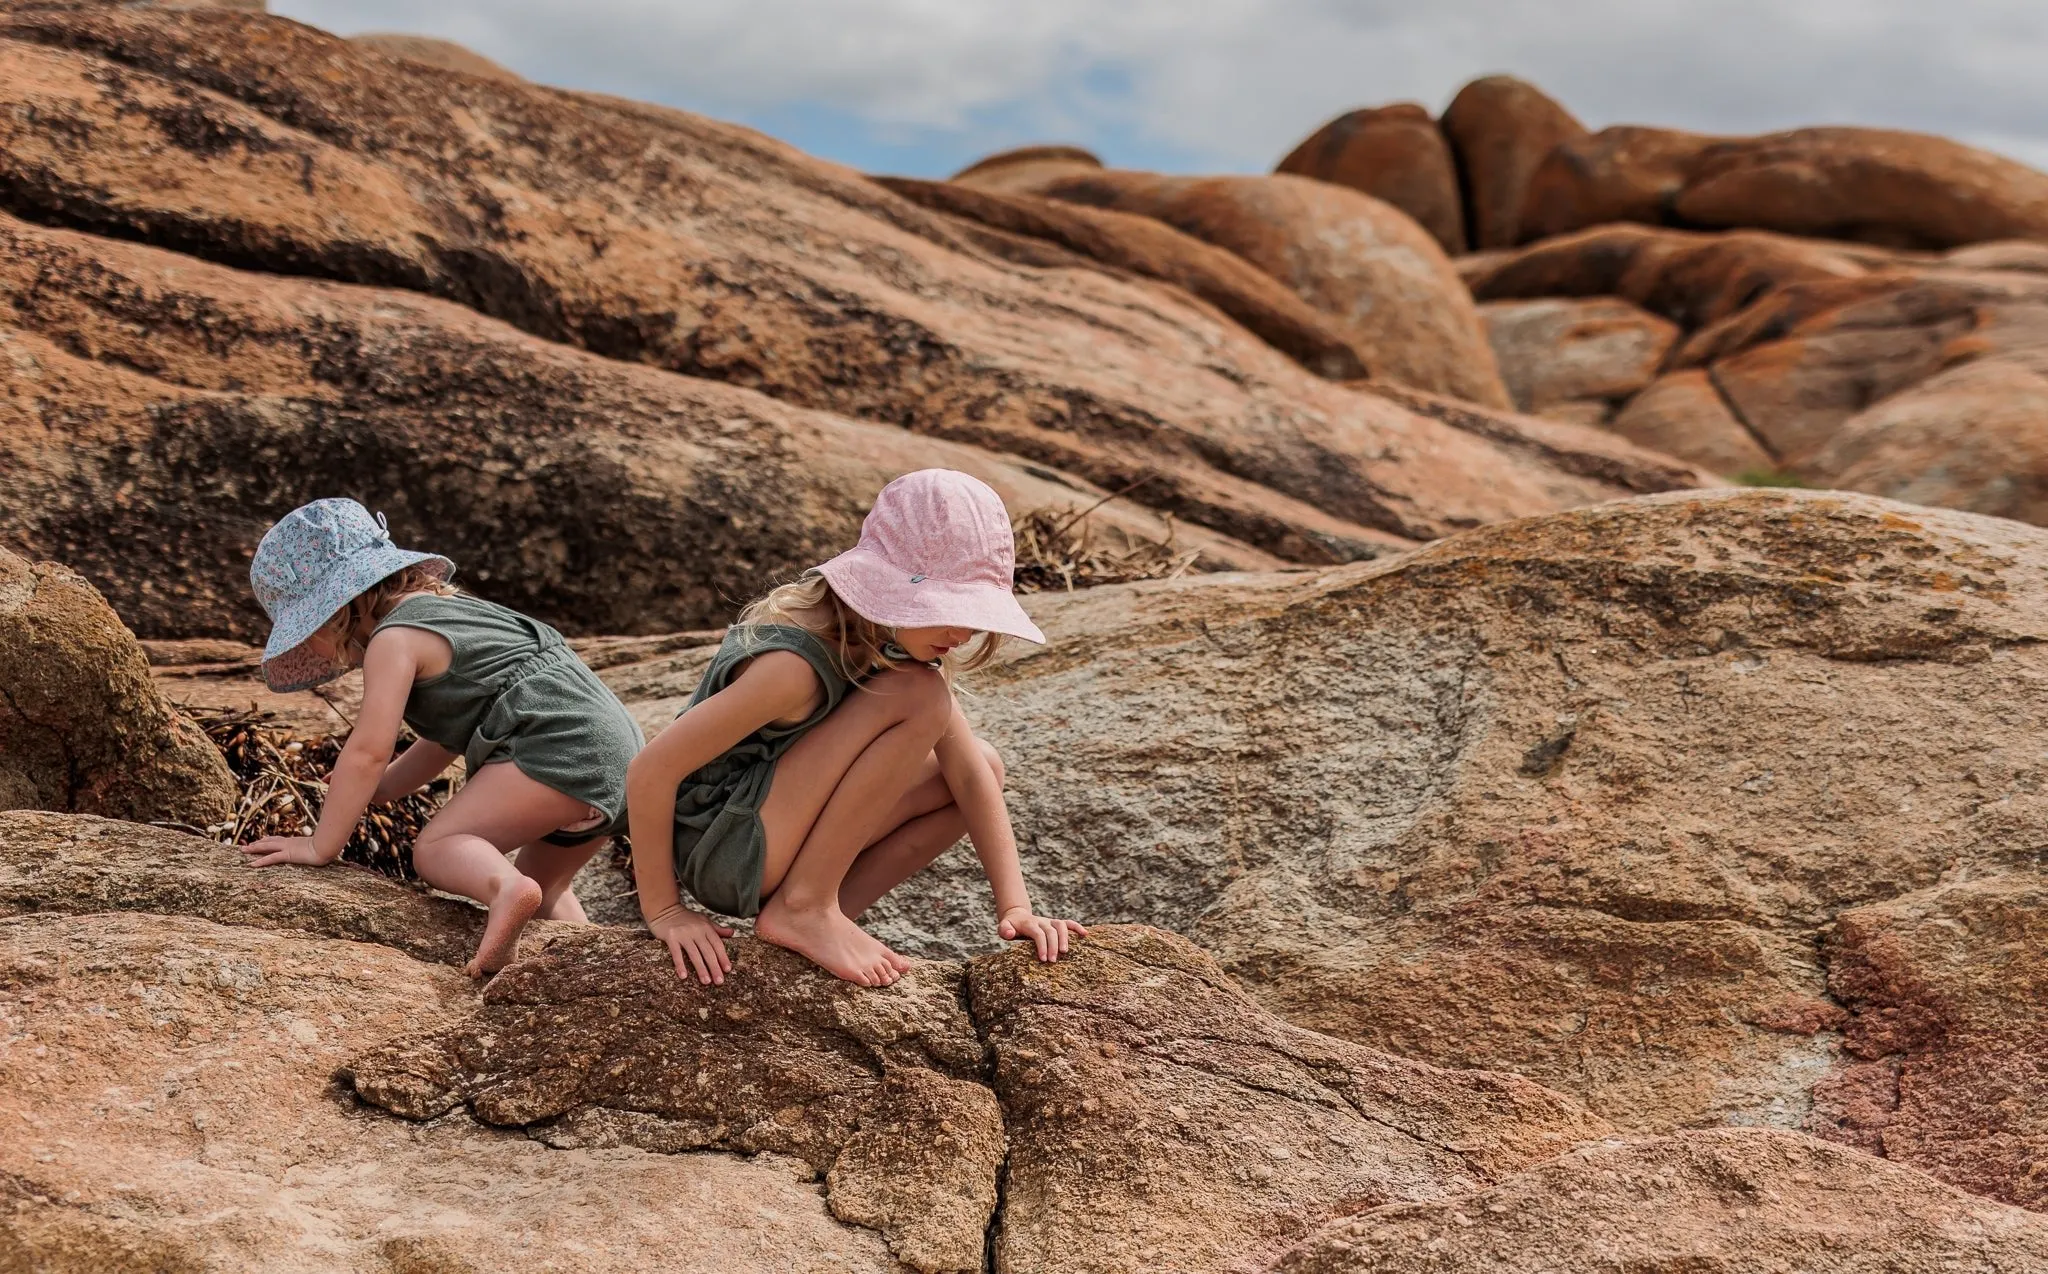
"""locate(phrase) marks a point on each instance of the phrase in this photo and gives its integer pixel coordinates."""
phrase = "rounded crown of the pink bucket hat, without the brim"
(943, 525)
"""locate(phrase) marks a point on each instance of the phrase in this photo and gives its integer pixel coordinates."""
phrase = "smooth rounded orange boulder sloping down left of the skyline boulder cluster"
(1345, 253)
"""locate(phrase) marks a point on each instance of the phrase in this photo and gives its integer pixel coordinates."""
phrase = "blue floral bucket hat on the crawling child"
(312, 564)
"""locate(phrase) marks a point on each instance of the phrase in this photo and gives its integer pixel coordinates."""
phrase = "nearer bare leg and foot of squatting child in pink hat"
(830, 800)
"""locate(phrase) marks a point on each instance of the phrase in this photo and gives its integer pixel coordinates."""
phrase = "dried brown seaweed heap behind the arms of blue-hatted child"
(286, 781)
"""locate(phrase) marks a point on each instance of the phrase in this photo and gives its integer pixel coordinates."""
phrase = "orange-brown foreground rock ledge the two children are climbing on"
(237, 1074)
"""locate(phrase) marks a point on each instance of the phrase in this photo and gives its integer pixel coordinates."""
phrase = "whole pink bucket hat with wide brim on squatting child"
(935, 552)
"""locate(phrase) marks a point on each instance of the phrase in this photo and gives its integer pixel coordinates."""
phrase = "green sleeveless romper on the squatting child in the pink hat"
(720, 839)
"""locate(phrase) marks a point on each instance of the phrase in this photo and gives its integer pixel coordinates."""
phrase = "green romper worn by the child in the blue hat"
(515, 691)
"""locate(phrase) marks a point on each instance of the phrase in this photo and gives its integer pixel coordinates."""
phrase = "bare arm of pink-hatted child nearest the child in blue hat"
(771, 687)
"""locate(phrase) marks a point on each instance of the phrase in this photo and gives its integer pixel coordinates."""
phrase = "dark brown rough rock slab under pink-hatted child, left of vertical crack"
(597, 1044)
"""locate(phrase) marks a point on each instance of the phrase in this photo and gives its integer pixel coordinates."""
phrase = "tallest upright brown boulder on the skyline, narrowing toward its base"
(1502, 130)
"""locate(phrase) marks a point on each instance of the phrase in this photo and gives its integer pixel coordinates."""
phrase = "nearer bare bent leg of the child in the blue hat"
(464, 851)
